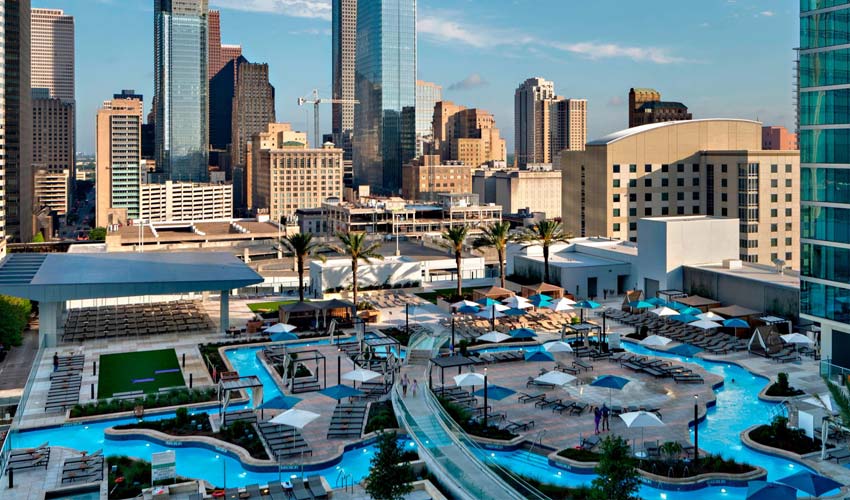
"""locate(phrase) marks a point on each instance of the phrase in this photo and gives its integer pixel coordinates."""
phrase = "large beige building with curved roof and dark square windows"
(710, 167)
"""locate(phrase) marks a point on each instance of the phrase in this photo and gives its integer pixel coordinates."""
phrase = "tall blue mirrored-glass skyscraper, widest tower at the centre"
(385, 86)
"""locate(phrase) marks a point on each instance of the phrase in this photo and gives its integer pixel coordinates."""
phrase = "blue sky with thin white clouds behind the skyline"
(723, 58)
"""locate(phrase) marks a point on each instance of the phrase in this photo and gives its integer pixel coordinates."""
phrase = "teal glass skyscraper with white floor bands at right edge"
(824, 123)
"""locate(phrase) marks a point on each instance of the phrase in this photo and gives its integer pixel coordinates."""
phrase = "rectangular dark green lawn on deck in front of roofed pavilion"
(118, 372)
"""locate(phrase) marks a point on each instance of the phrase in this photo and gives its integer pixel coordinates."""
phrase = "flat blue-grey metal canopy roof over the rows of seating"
(58, 277)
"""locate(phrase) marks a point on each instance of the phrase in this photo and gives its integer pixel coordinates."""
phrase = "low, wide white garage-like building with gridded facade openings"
(185, 202)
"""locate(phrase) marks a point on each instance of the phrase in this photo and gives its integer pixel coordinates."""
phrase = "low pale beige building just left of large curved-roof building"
(531, 190)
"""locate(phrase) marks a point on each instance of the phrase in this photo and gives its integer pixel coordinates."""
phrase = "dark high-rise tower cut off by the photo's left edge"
(16, 206)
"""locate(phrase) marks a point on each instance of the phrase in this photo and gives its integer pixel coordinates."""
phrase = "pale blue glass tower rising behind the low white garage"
(180, 86)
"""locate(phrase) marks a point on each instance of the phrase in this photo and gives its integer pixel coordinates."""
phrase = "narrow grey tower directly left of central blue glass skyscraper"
(343, 47)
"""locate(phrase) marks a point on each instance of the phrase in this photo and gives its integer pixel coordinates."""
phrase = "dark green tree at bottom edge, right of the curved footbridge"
(617, 472)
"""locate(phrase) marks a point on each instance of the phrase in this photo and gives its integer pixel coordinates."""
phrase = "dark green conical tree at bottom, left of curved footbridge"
(389, 478)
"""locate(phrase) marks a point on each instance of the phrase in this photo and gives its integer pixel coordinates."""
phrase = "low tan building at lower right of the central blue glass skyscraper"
(426, 176)
